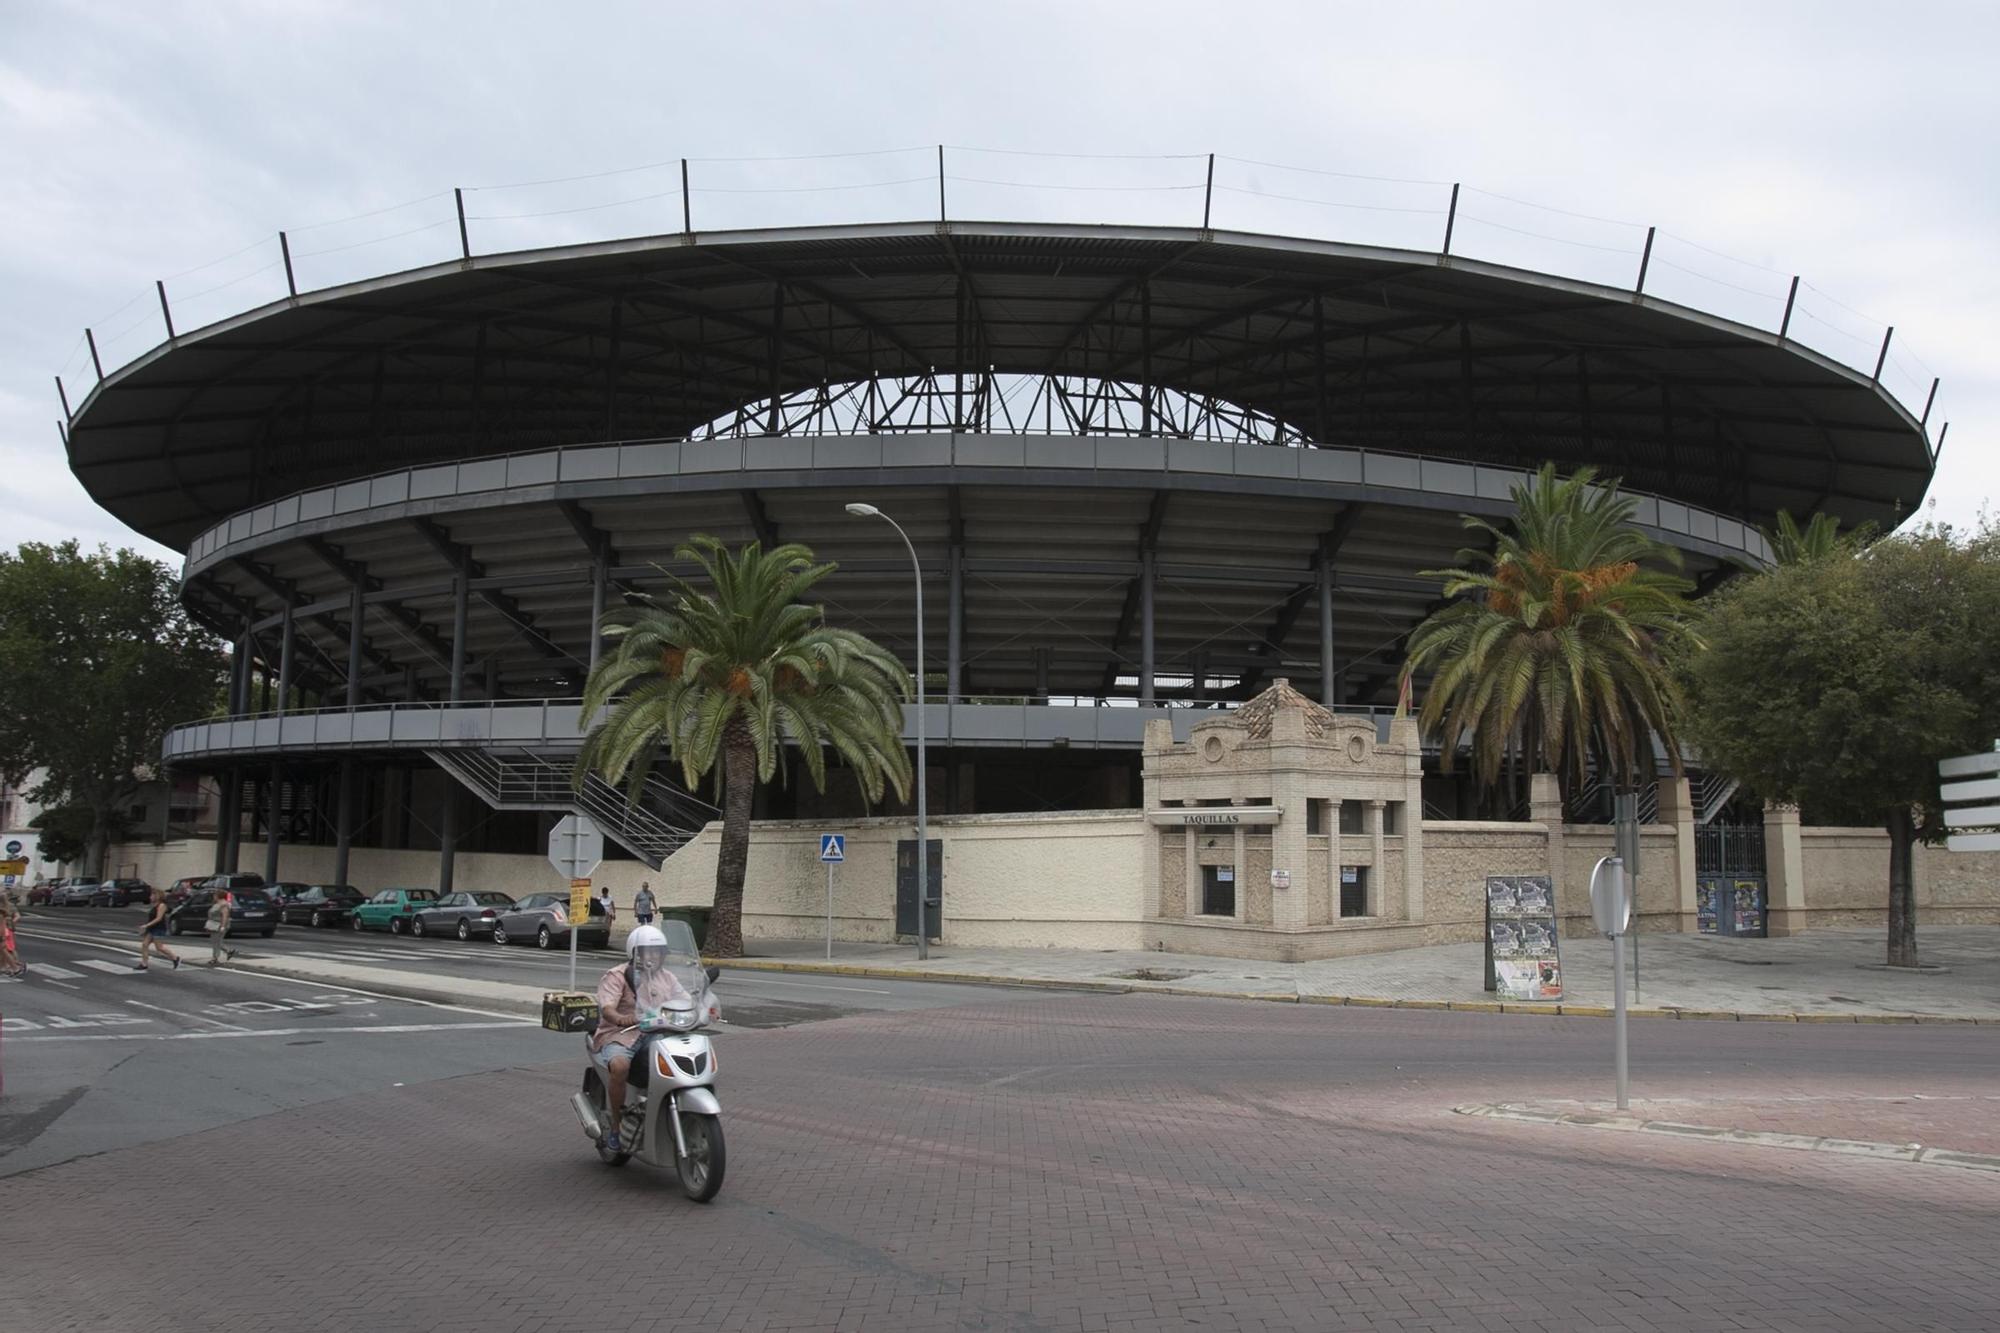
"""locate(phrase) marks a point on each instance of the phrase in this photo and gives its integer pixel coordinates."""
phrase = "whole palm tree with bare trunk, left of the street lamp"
(727, 680)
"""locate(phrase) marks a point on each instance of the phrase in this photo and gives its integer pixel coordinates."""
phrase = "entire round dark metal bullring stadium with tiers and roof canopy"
(1147, 471)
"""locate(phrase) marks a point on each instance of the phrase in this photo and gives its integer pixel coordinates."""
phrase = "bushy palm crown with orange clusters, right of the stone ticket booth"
(1553, 639)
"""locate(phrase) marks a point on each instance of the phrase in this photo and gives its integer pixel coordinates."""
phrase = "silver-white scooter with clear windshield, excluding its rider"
(671, 1114)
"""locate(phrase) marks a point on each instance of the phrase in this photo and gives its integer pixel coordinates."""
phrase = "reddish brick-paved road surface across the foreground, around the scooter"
(1073, 1162)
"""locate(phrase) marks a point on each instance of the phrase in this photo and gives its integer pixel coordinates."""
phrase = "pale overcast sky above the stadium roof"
(1849, 143)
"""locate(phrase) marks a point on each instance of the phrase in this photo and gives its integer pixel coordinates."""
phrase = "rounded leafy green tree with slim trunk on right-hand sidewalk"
(1839, 686)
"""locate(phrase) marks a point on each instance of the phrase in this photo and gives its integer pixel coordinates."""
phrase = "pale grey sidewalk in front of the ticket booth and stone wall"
(1817, 978)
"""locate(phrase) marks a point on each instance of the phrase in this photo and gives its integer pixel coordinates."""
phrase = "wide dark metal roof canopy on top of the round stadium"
(657, 337)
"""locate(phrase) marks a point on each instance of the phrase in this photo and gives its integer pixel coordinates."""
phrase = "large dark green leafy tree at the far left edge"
(97, 661)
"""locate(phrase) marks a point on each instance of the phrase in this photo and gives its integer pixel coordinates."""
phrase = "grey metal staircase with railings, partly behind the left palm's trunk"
(653, 830)
